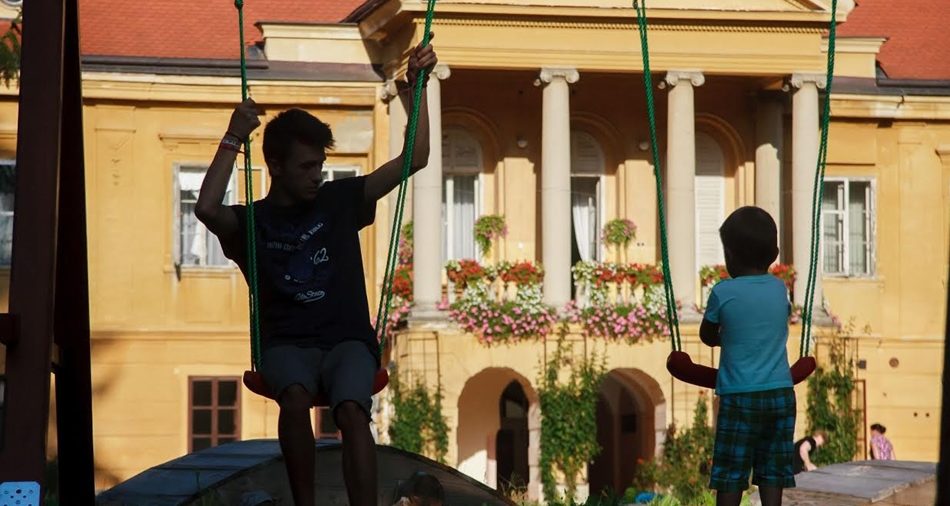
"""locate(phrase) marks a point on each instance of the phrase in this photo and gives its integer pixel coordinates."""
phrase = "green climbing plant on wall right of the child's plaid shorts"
(830, 407)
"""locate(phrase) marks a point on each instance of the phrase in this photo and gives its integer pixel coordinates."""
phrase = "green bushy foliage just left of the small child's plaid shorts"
(684, 466)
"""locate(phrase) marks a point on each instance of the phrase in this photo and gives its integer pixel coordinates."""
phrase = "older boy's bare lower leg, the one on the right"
(359, 454)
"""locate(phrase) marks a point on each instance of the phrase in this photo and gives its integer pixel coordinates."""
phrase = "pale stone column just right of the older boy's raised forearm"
(427, 211)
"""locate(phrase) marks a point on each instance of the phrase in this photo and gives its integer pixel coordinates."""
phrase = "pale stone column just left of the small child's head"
(680, 185)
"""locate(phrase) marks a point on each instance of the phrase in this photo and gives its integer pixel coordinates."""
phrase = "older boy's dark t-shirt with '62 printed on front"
(310, 270)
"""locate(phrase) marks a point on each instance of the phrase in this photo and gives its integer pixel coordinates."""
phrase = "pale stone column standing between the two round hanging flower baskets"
(556, 184)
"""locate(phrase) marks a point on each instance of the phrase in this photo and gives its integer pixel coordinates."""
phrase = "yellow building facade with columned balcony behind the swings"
(538, 115)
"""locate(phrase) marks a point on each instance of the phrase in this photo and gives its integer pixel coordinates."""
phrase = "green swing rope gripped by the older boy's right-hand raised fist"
(382, 313)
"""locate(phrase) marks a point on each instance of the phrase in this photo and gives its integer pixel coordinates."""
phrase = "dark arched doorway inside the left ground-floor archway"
(511, 443)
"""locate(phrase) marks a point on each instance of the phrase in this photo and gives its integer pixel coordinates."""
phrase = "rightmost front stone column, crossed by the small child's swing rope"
(805, 142)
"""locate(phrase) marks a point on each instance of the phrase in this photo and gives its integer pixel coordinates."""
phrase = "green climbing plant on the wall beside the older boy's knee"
(418, 425)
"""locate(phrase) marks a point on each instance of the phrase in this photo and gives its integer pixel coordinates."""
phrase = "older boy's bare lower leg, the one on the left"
(296, 442)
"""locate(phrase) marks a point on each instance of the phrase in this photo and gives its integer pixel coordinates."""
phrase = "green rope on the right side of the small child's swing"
(819, 189)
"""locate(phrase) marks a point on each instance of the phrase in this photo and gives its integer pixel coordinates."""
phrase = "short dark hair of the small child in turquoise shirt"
(751, 237)
